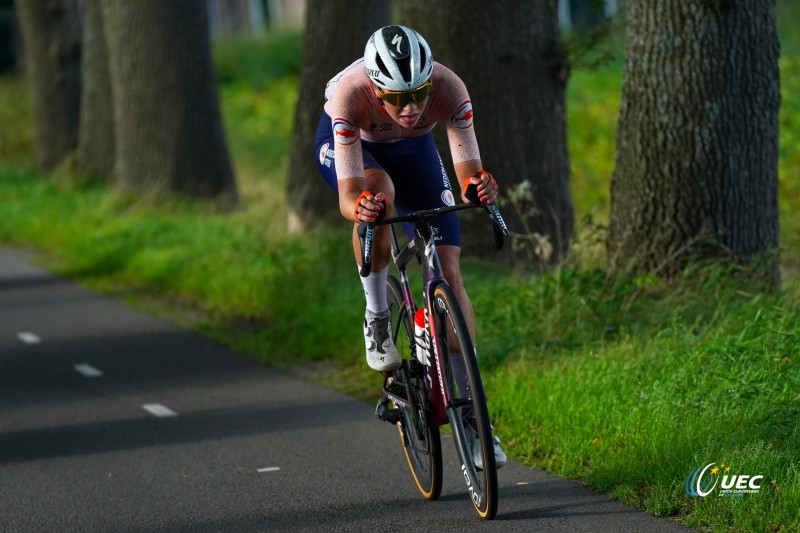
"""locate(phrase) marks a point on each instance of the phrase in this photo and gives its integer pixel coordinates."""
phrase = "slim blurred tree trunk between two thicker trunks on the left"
(96, 146)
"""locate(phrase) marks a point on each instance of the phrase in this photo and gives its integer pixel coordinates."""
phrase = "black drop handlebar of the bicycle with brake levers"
(366, 230)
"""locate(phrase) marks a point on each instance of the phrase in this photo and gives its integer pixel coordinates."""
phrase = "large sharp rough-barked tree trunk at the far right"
(697, 140)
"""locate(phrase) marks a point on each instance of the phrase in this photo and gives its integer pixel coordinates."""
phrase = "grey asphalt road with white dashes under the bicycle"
(111, 420)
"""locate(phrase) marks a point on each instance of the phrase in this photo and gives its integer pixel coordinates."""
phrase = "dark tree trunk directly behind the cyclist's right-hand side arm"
(514, 67)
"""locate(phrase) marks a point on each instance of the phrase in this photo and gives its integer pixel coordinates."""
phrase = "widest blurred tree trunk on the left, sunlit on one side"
(168, 128)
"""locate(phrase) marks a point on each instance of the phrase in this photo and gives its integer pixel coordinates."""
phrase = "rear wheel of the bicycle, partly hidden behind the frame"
(424, 454)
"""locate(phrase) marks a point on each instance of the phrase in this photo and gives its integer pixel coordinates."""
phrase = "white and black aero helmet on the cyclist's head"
(397, 58)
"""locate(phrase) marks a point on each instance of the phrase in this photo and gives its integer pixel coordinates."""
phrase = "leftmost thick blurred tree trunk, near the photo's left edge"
(51, 36)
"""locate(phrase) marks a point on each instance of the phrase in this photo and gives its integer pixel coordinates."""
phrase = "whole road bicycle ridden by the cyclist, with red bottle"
(439, 383)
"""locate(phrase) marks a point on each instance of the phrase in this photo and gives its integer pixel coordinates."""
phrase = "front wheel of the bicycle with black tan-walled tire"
(467, 411)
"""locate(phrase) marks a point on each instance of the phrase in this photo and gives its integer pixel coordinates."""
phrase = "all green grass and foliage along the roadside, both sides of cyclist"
(624, 384)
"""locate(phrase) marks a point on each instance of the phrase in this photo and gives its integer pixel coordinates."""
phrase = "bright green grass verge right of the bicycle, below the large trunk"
(631, 398)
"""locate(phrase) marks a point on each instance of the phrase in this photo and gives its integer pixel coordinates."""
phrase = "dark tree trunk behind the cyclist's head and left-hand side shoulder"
(334, 37)
